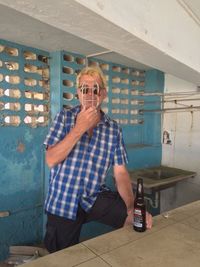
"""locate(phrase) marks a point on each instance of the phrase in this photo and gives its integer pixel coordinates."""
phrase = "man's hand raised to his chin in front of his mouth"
(87, 119)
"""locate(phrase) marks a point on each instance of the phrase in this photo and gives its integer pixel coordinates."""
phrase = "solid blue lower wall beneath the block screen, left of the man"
(21, 187)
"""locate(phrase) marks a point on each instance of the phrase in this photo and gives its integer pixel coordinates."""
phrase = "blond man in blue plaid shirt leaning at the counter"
(82, 145)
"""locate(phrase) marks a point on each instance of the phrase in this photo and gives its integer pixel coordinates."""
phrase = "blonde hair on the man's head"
(92, 71)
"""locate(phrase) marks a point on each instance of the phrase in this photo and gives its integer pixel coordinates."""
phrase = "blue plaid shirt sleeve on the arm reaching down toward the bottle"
(120, 156)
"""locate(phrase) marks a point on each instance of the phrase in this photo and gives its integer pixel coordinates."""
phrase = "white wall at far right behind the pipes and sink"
(183, 151)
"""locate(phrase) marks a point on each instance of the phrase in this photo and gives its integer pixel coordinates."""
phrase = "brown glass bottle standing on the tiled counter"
(139, 219)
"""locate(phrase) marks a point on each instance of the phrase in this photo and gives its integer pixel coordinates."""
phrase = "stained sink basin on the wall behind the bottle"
(160, 177)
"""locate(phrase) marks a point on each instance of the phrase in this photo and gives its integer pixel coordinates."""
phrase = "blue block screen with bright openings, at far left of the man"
(24, 86)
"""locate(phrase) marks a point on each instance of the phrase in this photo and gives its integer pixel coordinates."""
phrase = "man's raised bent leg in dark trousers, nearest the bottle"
(109, 209)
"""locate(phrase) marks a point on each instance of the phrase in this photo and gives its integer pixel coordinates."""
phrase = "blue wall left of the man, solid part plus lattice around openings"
(21, 159)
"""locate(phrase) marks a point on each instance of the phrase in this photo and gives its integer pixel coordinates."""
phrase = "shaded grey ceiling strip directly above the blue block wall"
(23, 29)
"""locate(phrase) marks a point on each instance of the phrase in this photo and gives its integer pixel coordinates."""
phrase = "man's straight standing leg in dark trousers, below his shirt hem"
(61, 232)
